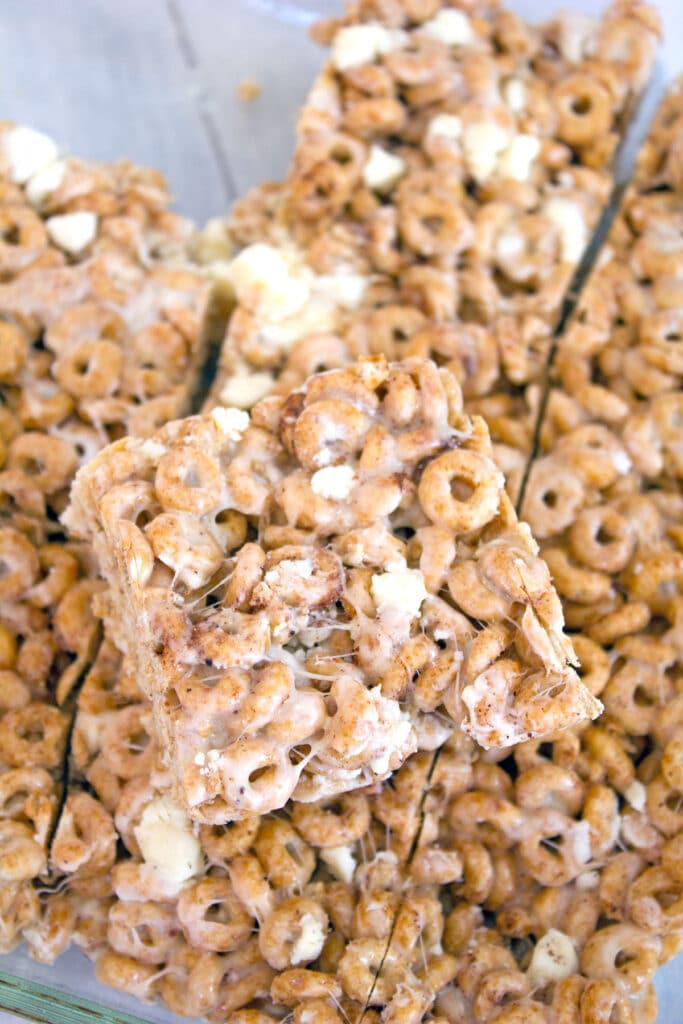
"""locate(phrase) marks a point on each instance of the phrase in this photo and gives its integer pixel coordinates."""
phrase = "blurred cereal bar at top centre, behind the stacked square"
(451, 166)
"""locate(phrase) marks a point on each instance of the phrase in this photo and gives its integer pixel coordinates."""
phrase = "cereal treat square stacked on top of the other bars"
(311, 594)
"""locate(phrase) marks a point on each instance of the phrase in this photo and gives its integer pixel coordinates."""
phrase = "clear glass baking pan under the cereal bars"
(158, 82)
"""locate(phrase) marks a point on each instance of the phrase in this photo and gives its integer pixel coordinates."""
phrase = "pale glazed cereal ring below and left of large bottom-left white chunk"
(146, 931)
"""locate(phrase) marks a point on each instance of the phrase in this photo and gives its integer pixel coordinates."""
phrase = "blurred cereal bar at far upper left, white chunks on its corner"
(98, 337)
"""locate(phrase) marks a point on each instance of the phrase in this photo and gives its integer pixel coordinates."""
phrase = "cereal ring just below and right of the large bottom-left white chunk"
(212, 918)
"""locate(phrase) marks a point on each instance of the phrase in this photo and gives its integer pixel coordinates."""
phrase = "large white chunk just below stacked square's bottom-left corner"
(167, 842)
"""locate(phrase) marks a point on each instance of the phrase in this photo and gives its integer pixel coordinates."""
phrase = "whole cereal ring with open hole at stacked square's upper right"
(457, 474)
